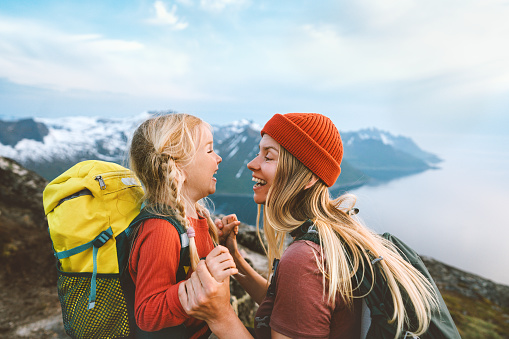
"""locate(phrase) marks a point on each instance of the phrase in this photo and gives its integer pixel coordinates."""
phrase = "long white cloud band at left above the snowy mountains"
(35, 54)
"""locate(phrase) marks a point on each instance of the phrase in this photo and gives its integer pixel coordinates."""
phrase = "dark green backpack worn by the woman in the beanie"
(378, 306)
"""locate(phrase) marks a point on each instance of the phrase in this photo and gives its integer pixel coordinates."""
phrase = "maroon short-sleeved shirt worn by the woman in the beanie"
(299, 309)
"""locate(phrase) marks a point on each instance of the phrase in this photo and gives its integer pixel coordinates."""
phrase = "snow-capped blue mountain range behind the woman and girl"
(50, 146)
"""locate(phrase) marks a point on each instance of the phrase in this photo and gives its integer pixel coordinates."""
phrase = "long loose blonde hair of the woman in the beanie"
(345, 243)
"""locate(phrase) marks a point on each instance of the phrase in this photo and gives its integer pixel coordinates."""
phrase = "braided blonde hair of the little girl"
(160, 148)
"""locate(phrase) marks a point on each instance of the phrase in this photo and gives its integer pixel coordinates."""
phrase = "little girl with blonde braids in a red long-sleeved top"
(173, 157)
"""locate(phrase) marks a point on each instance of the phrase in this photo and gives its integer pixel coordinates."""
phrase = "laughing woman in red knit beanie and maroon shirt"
(313, 293)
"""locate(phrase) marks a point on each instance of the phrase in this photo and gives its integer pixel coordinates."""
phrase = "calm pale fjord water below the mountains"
(457, 214)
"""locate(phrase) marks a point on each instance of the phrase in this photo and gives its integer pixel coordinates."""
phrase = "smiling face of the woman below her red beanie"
(264, 168)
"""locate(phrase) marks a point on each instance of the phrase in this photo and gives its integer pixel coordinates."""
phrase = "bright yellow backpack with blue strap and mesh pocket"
(89, 208)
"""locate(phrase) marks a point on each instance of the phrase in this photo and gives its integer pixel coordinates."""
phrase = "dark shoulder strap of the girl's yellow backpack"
(185, 260)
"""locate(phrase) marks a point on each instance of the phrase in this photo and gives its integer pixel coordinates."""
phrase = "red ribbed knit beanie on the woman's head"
(312, 138)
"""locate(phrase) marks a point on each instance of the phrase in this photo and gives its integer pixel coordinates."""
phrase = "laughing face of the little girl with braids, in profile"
(199, 173)
